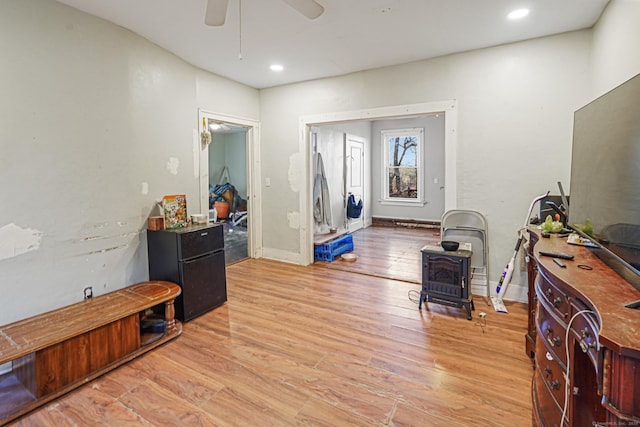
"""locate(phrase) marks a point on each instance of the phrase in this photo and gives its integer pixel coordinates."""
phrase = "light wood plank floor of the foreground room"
(317, 346)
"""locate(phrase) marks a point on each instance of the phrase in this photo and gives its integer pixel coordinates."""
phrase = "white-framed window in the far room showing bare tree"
(402, 165)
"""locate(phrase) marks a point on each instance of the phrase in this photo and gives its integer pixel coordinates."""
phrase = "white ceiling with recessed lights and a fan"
(351, 35)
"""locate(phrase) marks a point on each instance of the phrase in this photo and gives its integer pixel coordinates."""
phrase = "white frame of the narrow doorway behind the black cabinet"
(254, 193)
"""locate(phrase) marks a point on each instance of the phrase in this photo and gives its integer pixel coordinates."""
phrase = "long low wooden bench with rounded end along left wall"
(55, 352)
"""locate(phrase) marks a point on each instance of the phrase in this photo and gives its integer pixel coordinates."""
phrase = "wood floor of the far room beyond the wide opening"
(391, 252)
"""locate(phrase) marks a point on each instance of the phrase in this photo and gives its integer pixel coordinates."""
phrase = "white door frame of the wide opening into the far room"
(448, 108)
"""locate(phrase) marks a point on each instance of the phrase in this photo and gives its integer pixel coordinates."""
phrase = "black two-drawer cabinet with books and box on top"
(192, 257)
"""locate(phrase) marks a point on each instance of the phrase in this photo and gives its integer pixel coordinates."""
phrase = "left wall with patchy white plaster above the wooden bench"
(96, 124)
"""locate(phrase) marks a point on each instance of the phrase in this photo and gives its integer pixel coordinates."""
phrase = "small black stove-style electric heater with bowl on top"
(445, 278)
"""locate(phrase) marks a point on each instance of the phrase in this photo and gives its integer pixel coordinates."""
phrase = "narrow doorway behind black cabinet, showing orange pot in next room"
(228, 191)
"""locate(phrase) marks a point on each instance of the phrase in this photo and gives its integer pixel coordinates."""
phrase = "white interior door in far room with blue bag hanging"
(354, 177)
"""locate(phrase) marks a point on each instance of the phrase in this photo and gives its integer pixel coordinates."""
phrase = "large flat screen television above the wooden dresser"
(605, 177)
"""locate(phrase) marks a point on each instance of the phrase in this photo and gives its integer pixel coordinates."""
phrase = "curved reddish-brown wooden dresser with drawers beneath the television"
(587, 343)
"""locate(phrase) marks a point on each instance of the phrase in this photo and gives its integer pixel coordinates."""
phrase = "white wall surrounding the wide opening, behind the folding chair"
(515, 112)
